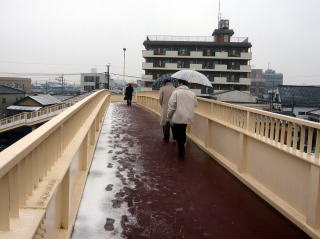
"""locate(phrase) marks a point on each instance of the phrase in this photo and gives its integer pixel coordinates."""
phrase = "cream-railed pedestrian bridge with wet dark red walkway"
(43, 175)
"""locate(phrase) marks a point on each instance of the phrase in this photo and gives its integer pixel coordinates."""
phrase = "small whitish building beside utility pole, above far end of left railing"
(93, 81)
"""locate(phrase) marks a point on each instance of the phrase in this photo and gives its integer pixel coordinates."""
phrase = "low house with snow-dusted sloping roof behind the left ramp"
(32, 103)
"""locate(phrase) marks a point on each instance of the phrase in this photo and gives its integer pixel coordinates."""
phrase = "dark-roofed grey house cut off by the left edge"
(9, 96)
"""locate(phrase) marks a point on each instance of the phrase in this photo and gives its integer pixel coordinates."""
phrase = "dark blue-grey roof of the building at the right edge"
(305, 96)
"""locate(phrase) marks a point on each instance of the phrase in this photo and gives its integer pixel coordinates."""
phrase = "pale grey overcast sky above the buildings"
(72, 36)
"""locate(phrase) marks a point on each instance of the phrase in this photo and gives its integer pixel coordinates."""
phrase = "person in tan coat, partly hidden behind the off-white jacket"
(164, 96)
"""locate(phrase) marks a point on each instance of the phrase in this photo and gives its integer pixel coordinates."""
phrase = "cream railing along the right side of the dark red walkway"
(274, 155)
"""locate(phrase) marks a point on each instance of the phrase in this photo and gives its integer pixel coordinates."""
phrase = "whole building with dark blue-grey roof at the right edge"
(297, 100)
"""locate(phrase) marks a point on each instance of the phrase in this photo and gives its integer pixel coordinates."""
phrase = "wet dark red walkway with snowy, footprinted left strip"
(137, 188)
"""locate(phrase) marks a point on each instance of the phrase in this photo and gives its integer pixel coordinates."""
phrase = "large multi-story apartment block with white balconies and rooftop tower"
(221, 57)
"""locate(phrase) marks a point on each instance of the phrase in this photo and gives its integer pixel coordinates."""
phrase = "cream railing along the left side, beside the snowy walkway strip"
(42, 176)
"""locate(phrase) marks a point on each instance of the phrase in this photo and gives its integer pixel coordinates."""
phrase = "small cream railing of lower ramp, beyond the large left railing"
(29, 118)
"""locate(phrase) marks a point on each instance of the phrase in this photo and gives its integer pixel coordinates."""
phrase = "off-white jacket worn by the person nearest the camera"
(181, 105)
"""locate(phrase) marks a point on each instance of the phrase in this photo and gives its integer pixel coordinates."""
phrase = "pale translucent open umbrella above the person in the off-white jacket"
(192, 76)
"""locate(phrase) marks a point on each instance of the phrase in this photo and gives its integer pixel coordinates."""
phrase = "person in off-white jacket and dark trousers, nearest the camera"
(181, 113)
